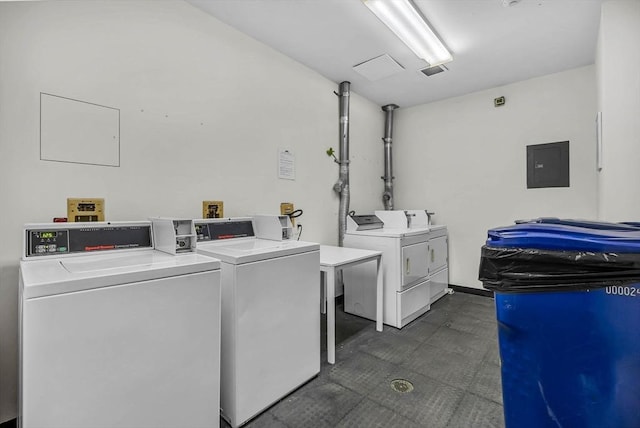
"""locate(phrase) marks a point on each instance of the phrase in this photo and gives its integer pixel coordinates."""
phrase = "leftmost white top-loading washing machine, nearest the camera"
(114, 333)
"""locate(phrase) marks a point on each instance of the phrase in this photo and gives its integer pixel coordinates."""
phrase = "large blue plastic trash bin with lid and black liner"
(568, 310)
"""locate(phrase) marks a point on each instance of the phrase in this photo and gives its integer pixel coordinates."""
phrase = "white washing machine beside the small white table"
(270, 314)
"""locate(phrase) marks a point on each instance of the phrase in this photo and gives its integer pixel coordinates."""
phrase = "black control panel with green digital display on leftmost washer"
(94, 237)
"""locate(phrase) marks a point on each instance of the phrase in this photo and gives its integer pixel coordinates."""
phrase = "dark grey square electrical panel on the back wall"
(548, 165)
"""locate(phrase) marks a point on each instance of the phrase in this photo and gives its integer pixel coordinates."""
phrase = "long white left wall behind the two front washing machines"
(203, 112)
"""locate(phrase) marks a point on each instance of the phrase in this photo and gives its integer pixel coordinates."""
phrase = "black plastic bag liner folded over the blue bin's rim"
(513, 270)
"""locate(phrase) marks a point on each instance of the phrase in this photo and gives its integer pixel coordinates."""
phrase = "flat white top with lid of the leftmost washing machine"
(49, 276)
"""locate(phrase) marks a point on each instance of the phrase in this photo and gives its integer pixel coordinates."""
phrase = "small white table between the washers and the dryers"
(332, 260)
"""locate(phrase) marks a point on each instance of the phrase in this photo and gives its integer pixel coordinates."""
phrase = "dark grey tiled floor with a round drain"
(450, 356)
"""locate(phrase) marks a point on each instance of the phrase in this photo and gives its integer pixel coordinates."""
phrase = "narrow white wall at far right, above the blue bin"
(618, 65)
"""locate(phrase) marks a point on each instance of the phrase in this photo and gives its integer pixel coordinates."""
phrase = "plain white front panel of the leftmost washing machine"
(143, 354)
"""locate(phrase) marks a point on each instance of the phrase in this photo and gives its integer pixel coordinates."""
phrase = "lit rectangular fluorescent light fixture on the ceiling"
(408, 24)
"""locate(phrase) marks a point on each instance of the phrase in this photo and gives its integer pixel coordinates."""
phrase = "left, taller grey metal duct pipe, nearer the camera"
(342, 185)
